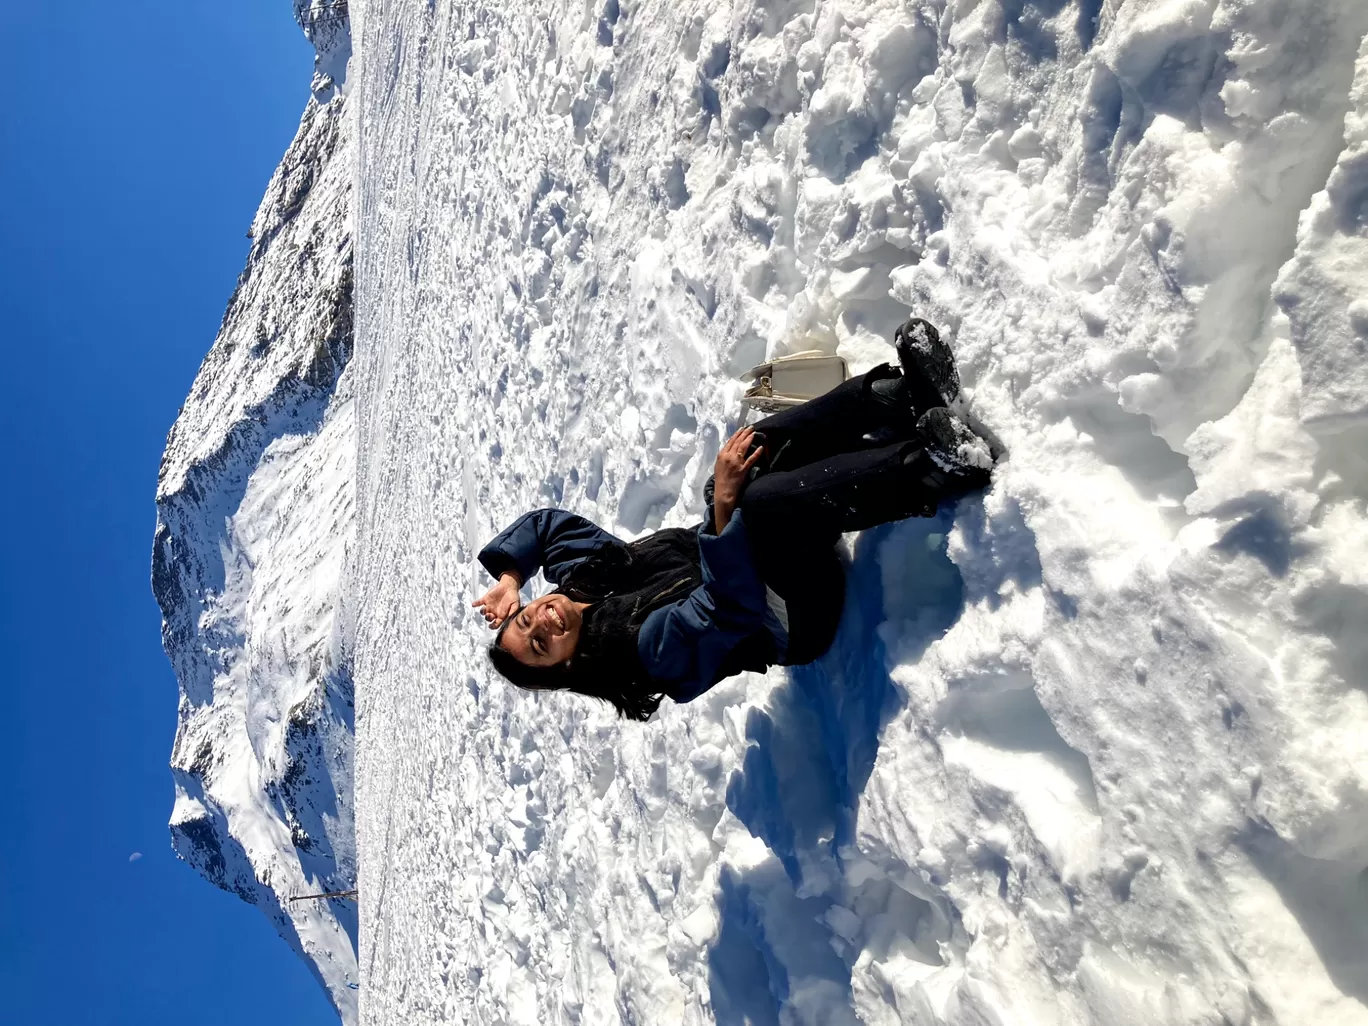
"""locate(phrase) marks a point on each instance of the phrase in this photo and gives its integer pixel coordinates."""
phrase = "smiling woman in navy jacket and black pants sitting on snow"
(759, 583)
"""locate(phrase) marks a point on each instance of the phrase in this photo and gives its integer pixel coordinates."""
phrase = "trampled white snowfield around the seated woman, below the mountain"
(1090, 749)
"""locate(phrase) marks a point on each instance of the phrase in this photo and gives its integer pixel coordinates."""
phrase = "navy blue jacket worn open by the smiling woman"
(683, 645)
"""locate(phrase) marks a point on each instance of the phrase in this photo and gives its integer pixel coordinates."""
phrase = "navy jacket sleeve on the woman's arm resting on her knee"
(683, 645)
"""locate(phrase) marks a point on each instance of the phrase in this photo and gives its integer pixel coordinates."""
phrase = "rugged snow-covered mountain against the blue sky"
(255, 525)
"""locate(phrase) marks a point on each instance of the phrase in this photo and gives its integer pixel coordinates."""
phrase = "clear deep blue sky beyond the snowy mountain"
(136, 140)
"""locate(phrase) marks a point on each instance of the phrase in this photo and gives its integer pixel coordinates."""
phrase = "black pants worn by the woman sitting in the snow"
(838, 463)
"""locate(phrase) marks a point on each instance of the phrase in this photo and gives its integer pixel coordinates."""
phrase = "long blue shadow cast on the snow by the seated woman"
(786, 935)
